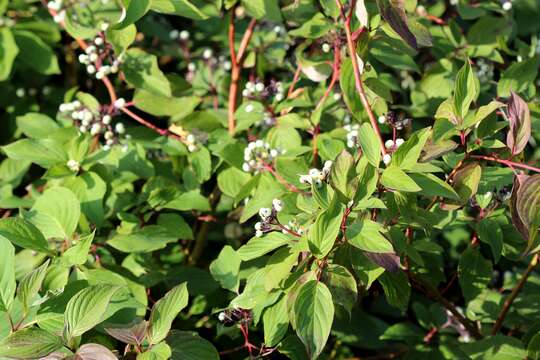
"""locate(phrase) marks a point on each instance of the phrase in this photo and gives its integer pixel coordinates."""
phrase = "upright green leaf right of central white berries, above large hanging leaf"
(323, 232)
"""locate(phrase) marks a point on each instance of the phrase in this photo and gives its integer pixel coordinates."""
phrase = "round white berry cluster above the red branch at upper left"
(99, 58)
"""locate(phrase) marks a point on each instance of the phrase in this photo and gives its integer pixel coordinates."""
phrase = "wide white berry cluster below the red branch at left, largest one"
(96, 122)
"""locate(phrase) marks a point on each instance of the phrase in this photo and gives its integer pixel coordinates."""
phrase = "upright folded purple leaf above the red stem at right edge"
(519, 117)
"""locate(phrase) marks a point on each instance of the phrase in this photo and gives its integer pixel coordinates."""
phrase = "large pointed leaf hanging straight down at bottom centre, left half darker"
(314, 313)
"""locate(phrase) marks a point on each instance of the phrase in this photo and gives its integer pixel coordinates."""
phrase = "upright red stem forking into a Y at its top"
(237, 59)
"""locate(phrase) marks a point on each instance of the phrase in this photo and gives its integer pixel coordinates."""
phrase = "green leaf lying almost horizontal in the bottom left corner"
(29, 343)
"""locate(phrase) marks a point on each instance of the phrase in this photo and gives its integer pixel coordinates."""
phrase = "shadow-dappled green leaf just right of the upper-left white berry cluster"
(141, 71)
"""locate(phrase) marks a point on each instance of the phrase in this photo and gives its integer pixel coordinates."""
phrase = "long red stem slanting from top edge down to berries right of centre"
(356, 70)
